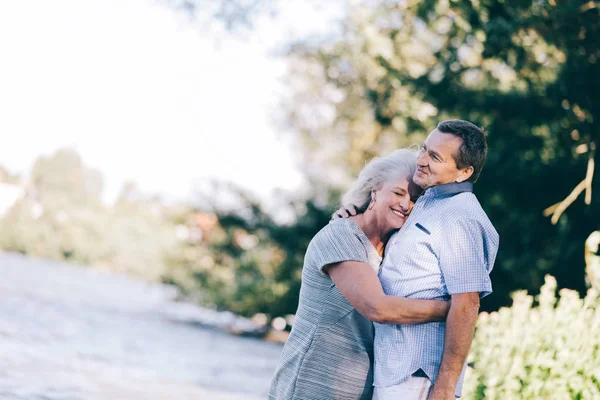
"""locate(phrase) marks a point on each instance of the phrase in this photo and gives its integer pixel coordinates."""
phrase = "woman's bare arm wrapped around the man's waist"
(360, 285)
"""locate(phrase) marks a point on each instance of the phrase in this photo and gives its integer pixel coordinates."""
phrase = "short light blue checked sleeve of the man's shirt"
(464, 259)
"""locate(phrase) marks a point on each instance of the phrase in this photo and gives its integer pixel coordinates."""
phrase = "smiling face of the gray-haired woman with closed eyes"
(393, 204)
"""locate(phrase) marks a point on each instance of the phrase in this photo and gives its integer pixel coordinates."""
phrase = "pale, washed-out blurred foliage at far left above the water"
(62, 217)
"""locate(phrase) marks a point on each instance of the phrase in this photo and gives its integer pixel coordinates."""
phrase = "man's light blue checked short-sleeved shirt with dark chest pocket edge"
(447, 246)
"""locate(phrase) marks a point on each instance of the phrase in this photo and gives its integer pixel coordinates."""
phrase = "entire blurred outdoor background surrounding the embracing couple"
(166, 162)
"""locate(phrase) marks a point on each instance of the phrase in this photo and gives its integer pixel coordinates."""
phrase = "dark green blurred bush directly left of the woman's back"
(249, 262)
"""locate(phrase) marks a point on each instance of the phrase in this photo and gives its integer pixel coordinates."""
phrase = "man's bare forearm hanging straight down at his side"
(460, 326)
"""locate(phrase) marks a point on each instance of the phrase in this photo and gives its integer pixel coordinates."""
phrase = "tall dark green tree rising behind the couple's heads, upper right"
(527, 71)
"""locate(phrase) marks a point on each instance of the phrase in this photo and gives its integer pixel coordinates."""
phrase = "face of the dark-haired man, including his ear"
(436, 165)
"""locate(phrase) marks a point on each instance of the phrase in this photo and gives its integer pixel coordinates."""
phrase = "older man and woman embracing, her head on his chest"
(388, 303)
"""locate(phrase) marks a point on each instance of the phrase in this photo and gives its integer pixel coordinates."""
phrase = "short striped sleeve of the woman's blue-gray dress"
(336, 243)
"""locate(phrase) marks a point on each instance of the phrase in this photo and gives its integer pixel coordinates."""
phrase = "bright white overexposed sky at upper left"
(144, 95)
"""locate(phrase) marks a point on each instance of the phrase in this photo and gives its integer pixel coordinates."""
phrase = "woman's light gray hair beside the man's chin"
(401, 163)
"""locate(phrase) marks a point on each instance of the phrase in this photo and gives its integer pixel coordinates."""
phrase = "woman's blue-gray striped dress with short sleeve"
(329, 353)
